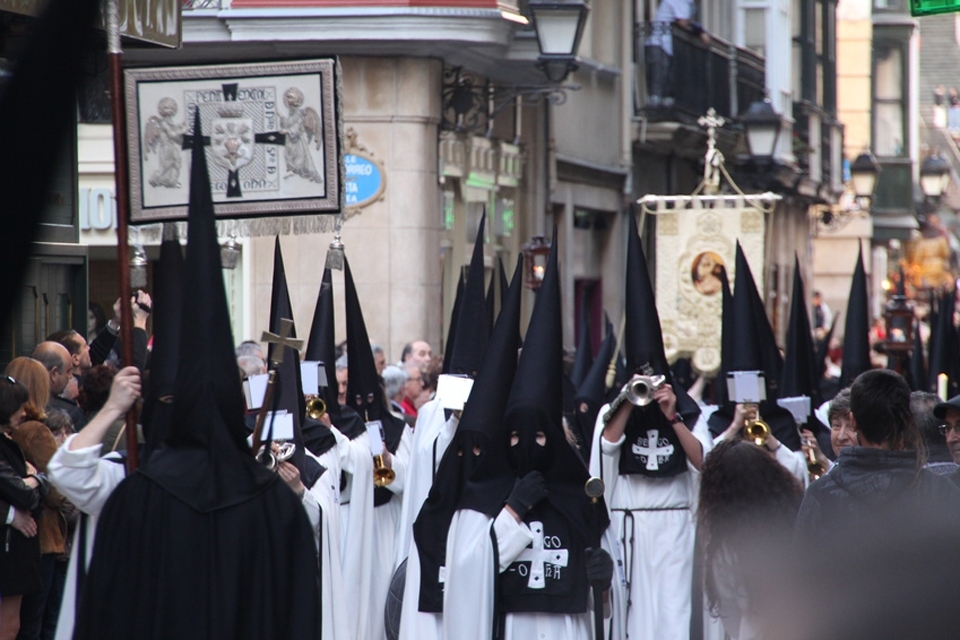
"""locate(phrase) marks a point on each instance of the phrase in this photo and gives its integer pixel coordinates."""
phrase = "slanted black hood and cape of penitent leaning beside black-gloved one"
(473, 473)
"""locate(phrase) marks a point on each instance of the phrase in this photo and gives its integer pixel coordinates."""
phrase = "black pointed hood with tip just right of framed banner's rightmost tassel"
(364, 394)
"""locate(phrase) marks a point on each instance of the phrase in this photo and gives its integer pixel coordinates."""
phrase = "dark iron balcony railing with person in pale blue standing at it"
(695, 77)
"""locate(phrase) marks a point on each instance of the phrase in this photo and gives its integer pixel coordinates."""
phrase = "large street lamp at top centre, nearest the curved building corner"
(559, 27)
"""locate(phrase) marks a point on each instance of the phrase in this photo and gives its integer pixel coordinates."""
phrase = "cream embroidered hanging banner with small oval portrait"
(696, 237)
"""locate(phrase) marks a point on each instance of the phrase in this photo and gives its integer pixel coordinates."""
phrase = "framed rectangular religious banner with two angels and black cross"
(271, 133)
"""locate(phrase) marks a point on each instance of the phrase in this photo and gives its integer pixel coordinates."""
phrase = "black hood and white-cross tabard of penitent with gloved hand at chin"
(538, 443)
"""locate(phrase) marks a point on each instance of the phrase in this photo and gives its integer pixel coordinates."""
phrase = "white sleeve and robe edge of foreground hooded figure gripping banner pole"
(86, 480)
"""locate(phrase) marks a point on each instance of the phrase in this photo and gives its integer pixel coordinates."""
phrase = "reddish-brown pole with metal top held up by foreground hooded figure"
(115, 58)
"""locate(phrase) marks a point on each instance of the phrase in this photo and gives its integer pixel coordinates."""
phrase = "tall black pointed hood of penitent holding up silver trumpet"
(643, 339)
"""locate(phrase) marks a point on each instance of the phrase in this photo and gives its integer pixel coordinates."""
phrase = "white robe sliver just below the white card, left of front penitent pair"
(427, 444)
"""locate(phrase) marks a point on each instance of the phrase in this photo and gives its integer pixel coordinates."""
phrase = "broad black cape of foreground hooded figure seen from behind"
(192, 586)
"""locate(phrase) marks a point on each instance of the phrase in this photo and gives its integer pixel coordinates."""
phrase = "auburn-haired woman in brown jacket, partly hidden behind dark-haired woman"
(38, 445)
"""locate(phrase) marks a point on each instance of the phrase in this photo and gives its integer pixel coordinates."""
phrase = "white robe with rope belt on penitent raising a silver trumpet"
(652, 524)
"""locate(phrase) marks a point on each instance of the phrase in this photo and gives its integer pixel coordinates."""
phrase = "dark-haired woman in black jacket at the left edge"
(23, 489)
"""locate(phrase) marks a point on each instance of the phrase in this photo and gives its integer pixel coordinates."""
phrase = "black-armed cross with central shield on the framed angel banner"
(233, 138)
